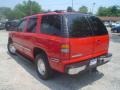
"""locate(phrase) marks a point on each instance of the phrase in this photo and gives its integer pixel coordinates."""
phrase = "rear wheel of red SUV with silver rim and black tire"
(43, 68)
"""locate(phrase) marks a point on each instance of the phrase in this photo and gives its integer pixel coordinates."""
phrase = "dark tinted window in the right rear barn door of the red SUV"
(98, 26)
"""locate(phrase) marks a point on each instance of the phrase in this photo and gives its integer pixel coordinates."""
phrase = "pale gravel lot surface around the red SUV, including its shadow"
(17, 73)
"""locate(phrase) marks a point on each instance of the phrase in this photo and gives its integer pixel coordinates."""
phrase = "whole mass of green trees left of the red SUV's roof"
(21, 10)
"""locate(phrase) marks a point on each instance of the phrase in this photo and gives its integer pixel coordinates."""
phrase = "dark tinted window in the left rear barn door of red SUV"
(78, 26)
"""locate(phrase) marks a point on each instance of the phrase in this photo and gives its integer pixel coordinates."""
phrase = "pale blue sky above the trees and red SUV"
(63, 4)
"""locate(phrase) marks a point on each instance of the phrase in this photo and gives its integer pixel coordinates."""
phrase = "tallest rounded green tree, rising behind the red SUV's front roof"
(26, 8)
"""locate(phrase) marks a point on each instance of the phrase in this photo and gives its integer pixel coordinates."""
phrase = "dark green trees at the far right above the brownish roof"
(110, 11)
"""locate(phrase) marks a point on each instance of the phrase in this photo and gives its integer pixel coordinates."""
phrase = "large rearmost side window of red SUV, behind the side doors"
(51, 25)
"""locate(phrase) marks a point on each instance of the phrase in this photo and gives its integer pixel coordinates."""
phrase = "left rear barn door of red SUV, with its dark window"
(80, 37)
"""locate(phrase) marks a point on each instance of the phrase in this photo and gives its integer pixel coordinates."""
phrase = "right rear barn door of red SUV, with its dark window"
(101, 37)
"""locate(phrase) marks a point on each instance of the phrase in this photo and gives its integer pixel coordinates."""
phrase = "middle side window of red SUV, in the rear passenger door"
(31, 27)
